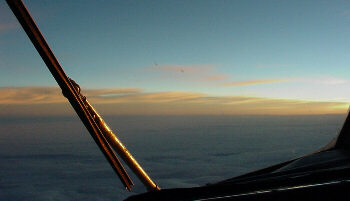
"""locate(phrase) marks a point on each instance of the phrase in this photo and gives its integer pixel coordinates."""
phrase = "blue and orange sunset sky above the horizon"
(181, 57)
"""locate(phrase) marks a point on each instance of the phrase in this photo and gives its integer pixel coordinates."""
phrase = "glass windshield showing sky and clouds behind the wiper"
(197, 91)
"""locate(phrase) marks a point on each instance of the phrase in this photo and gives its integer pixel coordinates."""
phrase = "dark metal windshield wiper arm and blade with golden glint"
(97, 128)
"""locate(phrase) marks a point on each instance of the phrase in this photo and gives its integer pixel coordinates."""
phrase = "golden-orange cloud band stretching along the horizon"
(49, 101)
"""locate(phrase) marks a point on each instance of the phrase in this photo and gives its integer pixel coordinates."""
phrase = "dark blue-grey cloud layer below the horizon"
(55, 159)
